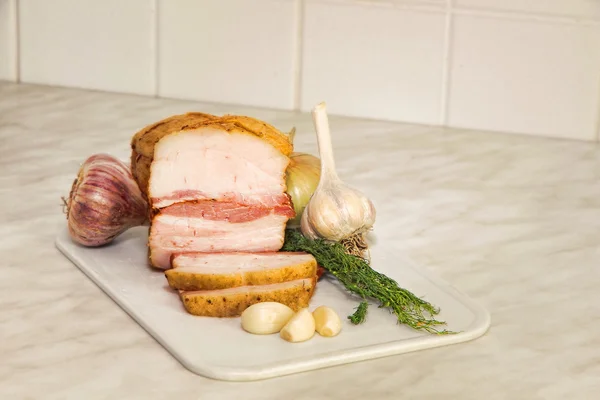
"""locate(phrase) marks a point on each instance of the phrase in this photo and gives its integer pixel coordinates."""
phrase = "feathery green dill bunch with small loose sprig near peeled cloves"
(358, 277)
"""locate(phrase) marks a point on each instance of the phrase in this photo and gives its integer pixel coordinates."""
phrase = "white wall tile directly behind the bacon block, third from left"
(230, 51)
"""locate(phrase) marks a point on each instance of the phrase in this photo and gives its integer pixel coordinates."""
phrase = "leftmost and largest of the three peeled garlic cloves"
(265, 318)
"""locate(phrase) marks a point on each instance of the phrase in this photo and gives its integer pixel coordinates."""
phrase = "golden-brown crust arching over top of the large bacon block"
(143, 142)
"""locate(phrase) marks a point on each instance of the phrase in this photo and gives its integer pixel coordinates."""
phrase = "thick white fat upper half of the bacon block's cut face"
(211, 163)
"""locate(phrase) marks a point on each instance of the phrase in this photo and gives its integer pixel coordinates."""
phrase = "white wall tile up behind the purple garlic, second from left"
(105, 45)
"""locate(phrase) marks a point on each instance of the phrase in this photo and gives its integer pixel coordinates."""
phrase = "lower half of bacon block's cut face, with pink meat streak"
(210, 227)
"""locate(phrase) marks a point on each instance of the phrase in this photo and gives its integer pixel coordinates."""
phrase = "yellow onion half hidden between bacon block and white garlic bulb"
(302, 178)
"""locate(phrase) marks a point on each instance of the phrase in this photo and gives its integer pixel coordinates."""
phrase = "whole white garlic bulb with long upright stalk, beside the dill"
(336, 211)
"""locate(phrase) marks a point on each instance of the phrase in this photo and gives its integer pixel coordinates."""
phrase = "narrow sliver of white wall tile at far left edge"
(8, 40)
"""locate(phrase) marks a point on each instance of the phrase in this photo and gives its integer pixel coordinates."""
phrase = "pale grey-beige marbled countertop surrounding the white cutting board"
(512, 221)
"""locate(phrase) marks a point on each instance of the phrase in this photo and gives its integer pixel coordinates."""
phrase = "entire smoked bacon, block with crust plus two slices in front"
(218, 210)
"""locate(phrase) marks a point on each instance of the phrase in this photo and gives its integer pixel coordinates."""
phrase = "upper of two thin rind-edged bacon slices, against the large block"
(209, 271)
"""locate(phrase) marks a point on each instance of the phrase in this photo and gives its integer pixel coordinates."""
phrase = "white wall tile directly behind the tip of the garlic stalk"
(363, 70)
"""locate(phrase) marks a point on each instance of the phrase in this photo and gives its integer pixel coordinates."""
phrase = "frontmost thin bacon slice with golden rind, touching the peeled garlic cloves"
(233, 301)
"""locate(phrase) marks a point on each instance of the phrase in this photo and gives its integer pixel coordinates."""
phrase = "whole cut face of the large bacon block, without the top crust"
(216, 191)
